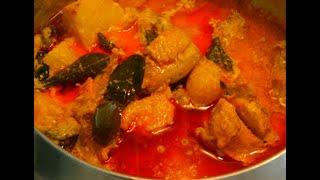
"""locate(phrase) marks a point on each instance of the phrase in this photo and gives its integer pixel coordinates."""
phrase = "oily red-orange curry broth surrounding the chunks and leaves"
(176, 152)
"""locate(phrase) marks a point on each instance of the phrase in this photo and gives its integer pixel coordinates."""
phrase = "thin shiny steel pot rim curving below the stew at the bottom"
(120, 175)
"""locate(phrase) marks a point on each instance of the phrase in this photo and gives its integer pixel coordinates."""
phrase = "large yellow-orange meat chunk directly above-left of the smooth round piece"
(172, 65)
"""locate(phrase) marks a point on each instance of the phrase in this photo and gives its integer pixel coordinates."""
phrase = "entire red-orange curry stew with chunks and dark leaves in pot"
(177, 89)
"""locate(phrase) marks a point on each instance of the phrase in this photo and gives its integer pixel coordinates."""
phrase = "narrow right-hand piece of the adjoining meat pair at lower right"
(256, 119)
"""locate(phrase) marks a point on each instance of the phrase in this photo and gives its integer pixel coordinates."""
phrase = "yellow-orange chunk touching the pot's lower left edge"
(53, 119)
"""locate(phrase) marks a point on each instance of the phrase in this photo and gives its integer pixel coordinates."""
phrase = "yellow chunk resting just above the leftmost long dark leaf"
(61, 56)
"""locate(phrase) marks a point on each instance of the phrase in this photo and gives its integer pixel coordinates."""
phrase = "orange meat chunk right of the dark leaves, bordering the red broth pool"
(149, 114)
